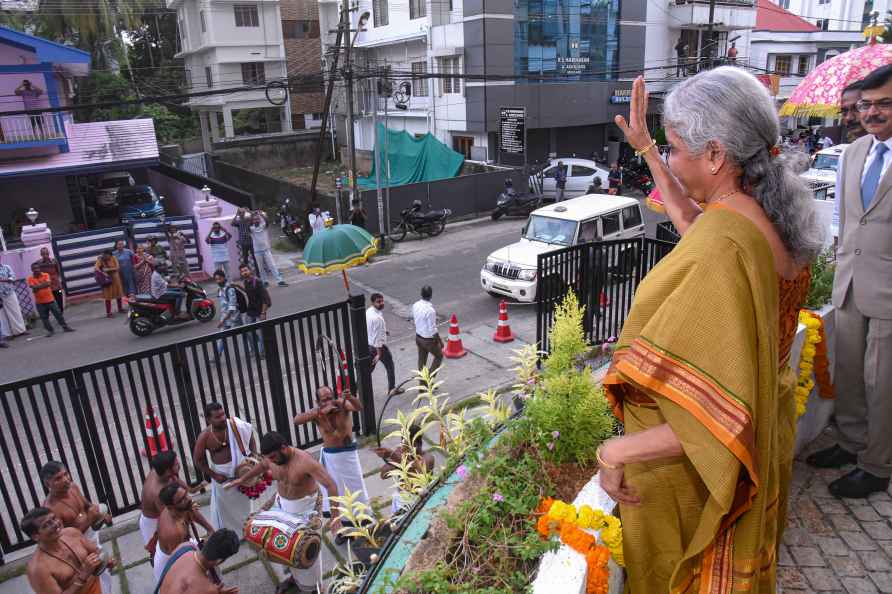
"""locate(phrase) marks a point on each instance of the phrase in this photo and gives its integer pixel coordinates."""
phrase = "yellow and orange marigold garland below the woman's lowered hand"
(559, 518)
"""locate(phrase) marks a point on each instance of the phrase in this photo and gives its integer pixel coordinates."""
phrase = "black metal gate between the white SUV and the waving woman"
(604, 276)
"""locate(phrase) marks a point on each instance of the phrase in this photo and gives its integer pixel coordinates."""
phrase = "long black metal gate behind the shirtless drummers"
(97, 419)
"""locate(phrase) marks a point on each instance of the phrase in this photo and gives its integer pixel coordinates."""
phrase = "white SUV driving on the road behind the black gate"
(511, 270)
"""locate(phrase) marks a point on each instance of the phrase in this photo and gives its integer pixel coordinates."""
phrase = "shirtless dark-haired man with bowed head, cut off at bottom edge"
(190, 571)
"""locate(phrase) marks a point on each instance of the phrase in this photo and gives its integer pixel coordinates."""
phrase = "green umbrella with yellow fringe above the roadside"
(337, 248)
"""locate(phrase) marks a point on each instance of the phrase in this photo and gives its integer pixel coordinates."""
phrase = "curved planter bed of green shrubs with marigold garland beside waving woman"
(485, 524)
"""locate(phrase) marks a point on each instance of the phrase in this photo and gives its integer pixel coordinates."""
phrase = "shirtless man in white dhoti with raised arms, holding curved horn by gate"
(340, 454)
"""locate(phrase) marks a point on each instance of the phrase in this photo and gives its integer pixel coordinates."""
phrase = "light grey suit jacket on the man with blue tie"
(864, 255)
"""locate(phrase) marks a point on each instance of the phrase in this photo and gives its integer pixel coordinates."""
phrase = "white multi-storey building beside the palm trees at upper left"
(233, 44)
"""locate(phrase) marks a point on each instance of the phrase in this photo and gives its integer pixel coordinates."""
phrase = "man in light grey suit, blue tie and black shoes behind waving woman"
(862, 296)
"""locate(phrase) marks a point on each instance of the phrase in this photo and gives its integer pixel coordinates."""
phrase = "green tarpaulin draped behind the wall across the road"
(413, 160)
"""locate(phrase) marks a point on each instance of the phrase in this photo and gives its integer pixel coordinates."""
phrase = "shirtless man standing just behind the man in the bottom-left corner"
(70, 506)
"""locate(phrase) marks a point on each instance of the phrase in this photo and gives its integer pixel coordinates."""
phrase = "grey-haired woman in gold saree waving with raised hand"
(702, 472)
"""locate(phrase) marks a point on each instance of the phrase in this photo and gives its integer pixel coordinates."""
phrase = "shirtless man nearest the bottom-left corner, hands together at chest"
(65, 562)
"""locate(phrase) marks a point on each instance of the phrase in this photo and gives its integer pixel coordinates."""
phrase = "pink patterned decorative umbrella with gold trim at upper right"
(818, 93)
